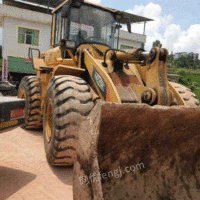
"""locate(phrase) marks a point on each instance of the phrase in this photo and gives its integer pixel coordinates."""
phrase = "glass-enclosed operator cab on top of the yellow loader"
(85, 24)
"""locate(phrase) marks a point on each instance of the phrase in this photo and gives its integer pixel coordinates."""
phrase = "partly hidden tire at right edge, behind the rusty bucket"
(186, 93)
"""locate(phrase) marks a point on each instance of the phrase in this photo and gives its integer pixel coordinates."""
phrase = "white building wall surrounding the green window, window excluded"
(12, 18)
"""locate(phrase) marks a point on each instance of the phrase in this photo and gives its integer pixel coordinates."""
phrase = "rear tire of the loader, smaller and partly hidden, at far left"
(30, 89)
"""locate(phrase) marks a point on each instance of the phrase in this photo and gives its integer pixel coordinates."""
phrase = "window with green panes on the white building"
(28, 36)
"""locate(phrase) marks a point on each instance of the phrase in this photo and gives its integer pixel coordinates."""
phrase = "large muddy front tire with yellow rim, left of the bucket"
(68, 101)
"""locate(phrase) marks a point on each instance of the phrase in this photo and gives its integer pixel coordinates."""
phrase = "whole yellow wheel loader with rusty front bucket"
(111, 113)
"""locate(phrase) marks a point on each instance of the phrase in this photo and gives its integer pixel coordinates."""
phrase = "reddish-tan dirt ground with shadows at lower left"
(24, 171)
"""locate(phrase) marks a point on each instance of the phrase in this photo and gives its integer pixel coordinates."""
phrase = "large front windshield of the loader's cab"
(91, 25)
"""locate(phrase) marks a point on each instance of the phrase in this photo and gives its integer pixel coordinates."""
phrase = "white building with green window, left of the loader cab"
(24, 28)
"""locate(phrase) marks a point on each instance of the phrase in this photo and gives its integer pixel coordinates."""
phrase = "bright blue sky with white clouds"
(176, 22)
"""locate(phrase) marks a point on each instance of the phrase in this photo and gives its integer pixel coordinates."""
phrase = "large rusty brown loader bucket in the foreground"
(134, 151)
